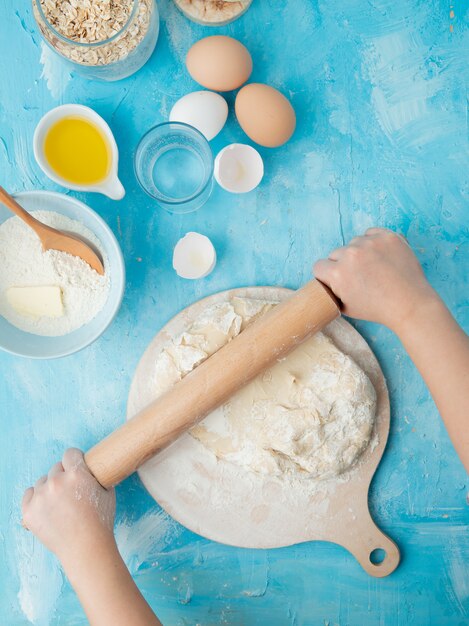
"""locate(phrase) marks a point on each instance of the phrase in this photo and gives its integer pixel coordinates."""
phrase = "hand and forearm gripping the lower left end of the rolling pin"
(73, 516)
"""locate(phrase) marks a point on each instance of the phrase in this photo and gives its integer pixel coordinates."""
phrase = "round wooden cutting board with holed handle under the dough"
(231, 505)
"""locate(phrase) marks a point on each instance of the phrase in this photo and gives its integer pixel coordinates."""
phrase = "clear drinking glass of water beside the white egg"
(174, 165)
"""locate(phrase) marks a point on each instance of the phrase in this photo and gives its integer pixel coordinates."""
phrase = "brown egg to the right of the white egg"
(265, 115)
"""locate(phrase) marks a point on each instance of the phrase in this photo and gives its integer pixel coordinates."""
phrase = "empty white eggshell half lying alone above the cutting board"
(194, 256)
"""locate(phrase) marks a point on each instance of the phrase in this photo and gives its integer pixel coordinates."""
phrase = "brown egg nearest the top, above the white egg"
(219, 63)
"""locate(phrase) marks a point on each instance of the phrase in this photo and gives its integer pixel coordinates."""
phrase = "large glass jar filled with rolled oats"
(95, 46)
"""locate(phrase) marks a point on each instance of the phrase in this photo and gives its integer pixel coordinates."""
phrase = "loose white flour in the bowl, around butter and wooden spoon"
(24, 263)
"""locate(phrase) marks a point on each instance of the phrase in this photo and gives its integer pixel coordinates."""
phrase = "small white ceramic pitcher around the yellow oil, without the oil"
(111, 185)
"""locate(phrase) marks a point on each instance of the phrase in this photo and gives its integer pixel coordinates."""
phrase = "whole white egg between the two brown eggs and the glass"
(205, 110)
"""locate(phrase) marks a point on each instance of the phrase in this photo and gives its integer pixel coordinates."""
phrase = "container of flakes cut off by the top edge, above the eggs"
(213, 12)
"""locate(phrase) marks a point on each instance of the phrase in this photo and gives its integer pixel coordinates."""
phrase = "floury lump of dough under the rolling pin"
(310, 414)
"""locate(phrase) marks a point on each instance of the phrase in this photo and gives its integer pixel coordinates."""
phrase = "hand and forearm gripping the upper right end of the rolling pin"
(378, 278)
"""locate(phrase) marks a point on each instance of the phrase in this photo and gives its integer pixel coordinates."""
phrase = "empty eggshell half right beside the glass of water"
(238, 168)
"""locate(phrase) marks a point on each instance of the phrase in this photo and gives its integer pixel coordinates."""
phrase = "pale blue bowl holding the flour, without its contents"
(25, 344)
